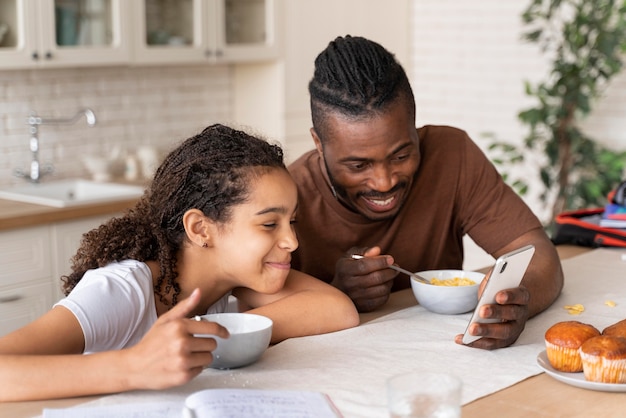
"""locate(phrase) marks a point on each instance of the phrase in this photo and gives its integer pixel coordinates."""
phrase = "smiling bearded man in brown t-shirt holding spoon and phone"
(379, 187)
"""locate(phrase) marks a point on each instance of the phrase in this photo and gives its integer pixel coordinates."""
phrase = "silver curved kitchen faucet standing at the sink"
(36, 171)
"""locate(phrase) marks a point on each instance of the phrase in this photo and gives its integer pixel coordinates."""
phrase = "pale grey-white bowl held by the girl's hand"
(250, 336)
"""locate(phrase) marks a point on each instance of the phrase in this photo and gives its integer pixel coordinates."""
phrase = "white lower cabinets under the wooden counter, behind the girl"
(33, 260)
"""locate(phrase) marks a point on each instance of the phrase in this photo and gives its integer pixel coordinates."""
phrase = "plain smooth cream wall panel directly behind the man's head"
(310, 26)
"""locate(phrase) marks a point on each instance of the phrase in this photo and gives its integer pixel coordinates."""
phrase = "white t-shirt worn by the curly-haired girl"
(115, 305)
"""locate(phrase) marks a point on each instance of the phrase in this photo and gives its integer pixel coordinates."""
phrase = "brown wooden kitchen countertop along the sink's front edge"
(23, 215)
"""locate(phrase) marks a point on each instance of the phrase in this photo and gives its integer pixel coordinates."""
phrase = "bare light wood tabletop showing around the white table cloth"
(538, 396)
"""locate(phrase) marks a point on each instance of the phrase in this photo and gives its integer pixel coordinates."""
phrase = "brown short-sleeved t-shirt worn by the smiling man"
(457, 191)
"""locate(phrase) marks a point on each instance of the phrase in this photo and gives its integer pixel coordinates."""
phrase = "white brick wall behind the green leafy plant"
(468, 68)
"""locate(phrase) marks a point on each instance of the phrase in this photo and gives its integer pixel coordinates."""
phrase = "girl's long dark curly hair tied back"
(211, 171)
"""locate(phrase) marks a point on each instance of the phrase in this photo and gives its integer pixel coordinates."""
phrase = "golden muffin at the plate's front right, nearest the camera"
(604, 359)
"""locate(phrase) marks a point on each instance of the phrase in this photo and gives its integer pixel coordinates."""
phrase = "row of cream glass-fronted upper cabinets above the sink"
(68, 33)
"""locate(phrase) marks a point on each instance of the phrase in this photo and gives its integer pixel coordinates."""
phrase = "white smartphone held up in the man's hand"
(507, 273)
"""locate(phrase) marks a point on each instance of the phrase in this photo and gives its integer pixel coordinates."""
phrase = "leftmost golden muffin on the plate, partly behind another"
(563, 340)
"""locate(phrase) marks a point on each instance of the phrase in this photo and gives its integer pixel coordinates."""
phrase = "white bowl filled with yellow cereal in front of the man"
(448, 300)
